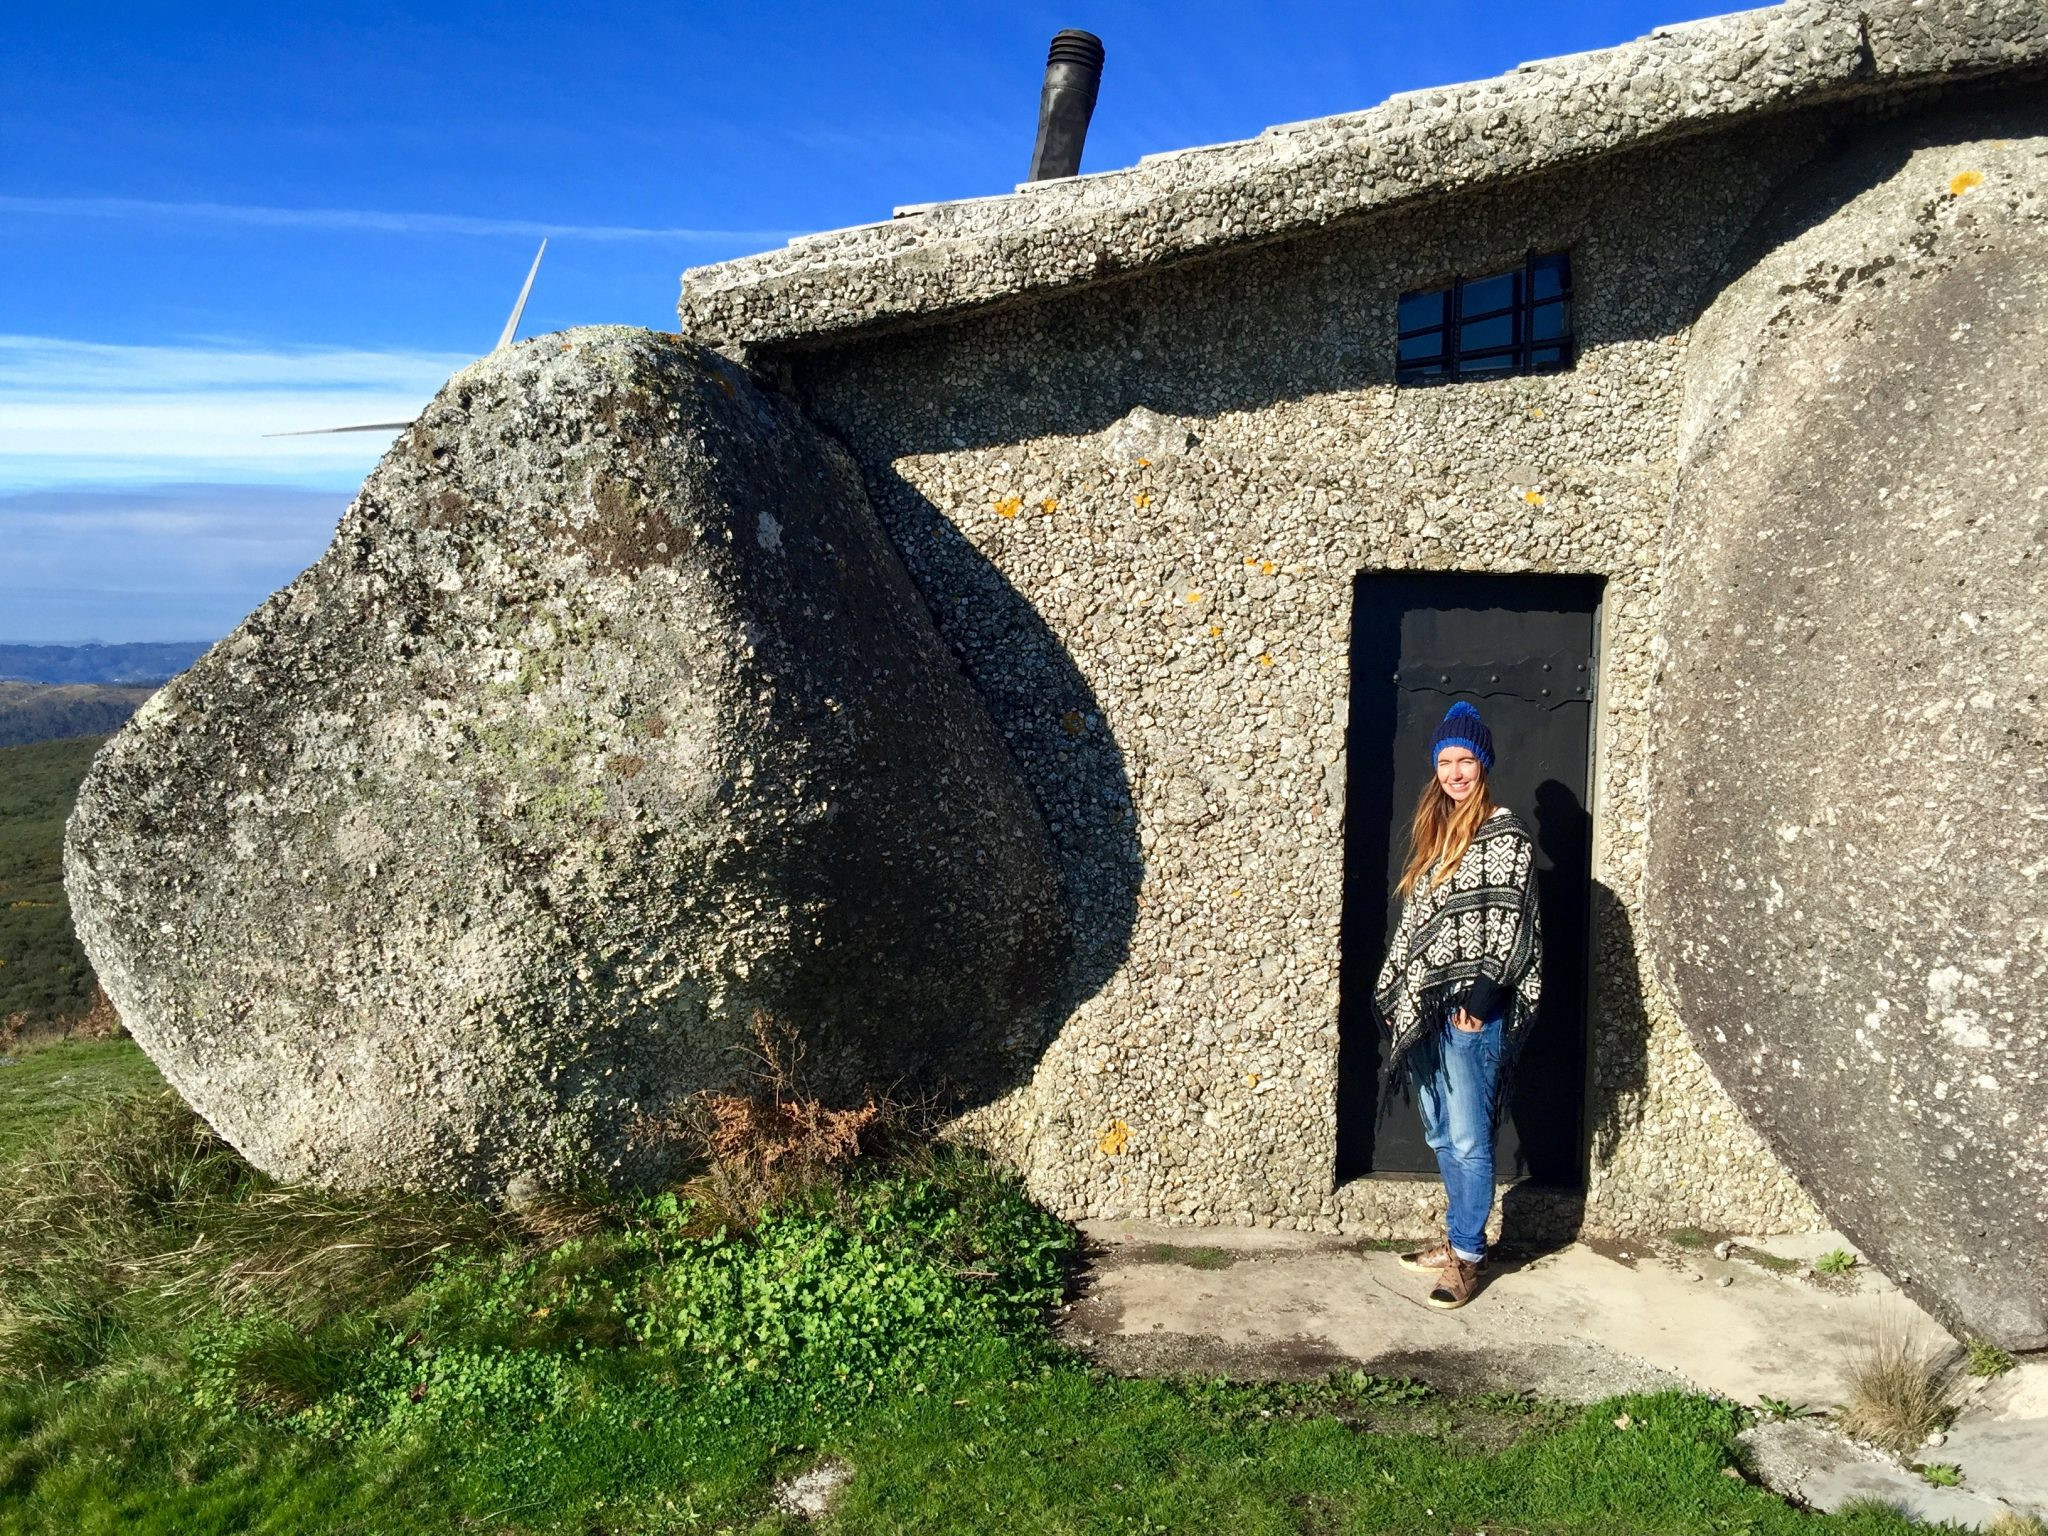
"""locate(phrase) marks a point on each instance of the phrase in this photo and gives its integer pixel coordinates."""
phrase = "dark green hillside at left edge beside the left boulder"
(44, 974)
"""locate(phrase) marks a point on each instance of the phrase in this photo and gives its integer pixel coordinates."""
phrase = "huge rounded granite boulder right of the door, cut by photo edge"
(1848, 888)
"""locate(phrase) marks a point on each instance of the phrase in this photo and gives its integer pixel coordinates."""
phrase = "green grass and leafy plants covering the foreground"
(194, 1349)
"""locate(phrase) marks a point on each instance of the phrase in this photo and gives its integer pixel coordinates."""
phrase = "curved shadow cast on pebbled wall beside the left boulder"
(1052, 722)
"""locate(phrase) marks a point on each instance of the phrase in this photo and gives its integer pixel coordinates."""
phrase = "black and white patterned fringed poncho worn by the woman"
(1474, 943)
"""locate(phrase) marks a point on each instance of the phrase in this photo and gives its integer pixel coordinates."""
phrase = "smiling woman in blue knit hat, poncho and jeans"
(1461, 984)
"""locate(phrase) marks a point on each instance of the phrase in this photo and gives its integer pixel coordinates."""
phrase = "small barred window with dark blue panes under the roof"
(1508, 323)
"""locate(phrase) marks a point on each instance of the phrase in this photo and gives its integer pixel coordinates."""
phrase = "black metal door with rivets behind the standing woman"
(1523, 650)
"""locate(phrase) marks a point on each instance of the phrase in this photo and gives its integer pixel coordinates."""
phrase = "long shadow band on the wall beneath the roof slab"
(1248, 331)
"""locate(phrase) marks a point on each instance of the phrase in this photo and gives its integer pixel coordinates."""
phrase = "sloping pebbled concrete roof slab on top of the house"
(1676, 83)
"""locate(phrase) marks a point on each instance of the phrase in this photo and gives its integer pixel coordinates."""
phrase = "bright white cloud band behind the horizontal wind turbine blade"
(101, 413)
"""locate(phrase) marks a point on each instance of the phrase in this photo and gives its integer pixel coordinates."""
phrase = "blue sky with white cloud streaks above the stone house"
(230, 220)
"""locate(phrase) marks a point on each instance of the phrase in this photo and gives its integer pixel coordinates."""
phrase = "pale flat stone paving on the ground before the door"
(1578, 1324)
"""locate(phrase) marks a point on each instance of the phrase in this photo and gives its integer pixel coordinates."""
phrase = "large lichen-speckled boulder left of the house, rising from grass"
(607, 720)
